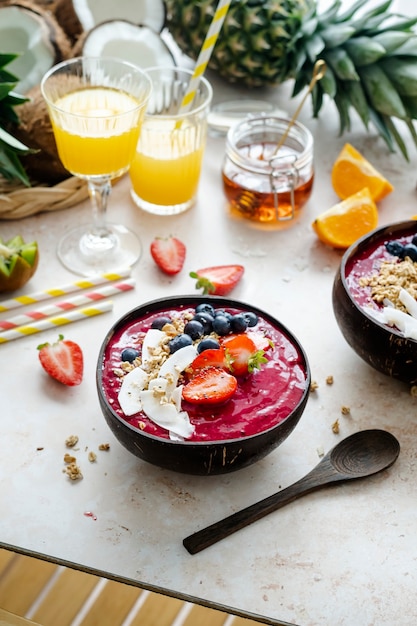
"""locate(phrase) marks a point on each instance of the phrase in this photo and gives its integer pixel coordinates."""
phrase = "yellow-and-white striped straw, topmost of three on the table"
(56, 292)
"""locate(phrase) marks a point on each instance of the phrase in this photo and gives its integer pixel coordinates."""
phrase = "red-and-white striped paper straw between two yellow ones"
(66, 305)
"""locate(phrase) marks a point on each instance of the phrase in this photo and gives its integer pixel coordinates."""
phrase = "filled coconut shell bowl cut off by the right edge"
(379, 321)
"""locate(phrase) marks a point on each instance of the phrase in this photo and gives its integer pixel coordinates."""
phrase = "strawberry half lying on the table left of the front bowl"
(63, 361)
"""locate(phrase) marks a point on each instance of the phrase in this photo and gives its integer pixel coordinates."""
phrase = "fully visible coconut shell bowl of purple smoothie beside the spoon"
(265, 407)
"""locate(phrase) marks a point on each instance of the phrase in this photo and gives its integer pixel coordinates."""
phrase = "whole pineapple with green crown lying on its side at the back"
(371, 55)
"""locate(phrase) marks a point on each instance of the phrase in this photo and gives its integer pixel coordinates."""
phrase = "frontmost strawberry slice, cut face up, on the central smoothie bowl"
(211, 385)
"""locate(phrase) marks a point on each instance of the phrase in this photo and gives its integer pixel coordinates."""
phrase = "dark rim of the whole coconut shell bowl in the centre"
(190, 300)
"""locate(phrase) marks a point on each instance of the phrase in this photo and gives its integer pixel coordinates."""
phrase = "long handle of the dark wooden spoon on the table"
(219, 530)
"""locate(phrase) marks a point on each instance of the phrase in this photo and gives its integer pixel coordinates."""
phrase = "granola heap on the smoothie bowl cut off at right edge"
(390, 279)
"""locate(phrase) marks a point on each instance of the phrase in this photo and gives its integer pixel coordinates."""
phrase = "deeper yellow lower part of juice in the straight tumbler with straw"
(166, 181)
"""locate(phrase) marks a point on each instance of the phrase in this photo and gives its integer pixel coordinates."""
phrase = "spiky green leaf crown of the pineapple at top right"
(371, 64)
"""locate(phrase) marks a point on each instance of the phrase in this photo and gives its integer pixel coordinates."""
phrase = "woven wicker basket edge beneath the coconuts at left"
(18, 201)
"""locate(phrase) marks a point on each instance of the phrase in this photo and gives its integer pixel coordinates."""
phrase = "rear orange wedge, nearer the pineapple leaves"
(351, 172)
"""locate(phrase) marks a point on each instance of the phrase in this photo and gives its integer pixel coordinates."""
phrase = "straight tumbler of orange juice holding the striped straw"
(166, 169)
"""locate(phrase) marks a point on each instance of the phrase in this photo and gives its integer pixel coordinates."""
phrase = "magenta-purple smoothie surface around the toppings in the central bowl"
(262, 399)
